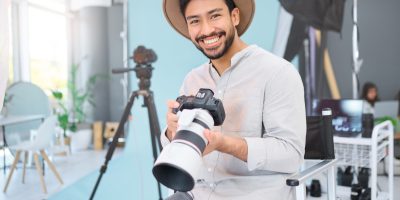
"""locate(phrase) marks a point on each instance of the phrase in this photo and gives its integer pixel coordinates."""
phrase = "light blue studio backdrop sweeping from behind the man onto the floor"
(130, 177)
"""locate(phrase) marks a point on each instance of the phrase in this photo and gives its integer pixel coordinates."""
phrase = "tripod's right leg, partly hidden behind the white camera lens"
(154, 129)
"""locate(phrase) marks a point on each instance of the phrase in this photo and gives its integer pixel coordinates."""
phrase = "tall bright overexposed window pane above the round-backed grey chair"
(47, 42)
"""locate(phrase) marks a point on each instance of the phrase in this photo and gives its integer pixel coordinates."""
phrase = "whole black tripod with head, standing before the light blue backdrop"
(143, 58)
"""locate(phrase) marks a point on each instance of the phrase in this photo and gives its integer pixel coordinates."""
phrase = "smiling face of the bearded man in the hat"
(211, 26)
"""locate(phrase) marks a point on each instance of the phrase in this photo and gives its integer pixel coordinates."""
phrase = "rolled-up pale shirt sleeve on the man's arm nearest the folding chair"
(281, 147)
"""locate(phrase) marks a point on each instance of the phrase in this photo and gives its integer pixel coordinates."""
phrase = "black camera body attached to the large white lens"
(204, 99)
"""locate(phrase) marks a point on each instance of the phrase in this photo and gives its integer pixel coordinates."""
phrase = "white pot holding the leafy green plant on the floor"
(81, 140)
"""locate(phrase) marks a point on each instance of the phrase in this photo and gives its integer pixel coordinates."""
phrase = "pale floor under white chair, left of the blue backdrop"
(71, 169)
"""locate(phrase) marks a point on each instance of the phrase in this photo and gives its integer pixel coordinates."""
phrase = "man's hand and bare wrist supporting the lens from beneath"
(217, 141)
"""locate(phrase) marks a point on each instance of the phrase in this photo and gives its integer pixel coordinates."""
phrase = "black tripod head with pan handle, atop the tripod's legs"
(143, 58)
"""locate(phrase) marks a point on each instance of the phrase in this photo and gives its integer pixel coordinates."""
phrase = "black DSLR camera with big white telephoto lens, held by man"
(179, 162)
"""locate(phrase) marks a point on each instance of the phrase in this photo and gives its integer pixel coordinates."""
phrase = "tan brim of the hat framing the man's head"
(174, 16)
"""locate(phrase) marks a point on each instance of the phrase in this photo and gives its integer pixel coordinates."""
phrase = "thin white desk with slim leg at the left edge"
(11, 120)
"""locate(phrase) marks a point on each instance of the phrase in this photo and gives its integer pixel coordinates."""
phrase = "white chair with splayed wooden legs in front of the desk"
(37, 146)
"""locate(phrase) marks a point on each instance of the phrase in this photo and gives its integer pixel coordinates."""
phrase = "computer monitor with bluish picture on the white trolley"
(347, 115)
